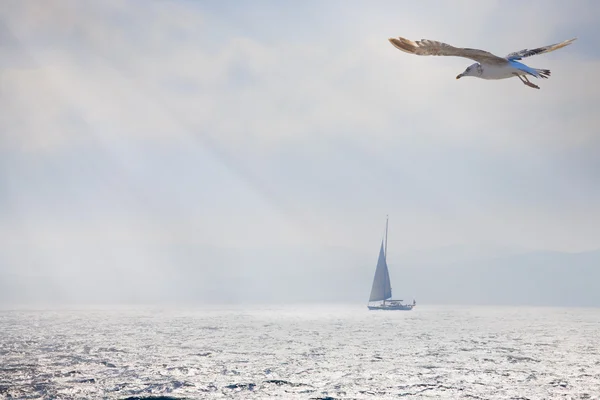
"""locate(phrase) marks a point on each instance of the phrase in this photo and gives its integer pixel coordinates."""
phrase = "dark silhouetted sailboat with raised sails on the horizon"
(381, 291)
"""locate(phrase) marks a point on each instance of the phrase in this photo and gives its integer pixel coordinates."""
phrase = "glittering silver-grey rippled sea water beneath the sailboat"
(301, 352)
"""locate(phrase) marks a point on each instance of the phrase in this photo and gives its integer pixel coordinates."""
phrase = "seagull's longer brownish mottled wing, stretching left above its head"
(426, 47)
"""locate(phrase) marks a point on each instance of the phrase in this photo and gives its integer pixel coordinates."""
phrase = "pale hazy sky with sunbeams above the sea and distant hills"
(236, 138)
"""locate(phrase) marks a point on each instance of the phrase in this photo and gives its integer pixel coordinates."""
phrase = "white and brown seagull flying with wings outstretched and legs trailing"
(488, 65)
